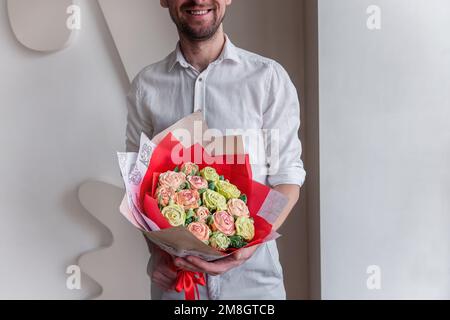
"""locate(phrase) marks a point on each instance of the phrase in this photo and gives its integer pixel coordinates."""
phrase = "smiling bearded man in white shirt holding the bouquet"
(234, 89)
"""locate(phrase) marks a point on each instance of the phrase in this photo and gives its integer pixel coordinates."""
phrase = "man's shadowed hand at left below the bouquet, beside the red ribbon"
(163, 272)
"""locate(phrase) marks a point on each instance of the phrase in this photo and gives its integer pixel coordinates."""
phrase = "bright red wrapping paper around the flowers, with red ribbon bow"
(235, 168)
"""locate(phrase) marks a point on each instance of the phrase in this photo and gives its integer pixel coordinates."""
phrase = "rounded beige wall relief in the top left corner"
(44, 25)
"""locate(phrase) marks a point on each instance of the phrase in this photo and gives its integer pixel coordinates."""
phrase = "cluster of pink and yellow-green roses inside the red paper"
(212, 209)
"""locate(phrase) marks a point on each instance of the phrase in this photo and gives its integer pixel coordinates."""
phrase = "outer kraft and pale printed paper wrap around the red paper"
(179, 241)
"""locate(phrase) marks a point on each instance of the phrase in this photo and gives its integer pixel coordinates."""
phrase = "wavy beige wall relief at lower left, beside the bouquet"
(120, 266)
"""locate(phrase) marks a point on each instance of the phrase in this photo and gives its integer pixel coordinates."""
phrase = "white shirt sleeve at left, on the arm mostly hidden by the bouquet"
(136, 121)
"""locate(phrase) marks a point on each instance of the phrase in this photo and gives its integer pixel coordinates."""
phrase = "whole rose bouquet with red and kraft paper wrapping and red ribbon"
(190, 201)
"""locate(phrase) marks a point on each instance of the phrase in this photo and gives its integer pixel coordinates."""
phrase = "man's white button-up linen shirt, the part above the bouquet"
(239, 91)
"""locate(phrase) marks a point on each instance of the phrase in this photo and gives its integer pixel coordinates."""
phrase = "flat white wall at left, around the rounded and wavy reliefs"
(62, 119)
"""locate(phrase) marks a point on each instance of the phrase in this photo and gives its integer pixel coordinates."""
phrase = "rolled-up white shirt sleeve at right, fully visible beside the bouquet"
(281, 125)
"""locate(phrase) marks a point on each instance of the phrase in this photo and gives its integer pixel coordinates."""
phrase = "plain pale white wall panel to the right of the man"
(385, 148)
